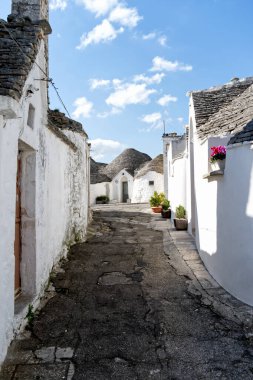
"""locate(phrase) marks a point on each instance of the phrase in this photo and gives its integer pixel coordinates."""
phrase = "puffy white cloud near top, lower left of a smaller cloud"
(100, 33)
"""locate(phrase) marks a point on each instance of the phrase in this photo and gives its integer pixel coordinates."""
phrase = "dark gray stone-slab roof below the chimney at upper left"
(15, 67)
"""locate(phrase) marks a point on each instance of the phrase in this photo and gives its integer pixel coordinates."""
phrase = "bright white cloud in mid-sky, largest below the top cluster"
(130, 93)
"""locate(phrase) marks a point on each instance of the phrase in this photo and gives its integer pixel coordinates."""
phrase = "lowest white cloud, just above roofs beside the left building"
(101, 149)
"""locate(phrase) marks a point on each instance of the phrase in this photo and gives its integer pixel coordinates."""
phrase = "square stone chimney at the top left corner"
(35, 9)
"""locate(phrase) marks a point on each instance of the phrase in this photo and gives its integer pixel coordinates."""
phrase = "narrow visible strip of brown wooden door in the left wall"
(17, 244)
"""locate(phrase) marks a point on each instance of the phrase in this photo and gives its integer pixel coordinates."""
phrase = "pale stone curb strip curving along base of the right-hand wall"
(183, 256)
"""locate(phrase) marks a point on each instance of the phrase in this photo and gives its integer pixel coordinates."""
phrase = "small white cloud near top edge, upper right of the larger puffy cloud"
(125, 16)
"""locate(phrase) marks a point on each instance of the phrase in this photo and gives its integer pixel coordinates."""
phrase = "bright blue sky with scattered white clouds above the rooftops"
(122, 67)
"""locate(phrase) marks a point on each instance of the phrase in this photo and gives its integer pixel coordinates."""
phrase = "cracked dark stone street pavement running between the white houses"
(134, 302)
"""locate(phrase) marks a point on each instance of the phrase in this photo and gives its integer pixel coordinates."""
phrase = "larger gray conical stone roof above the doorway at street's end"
(129, 159)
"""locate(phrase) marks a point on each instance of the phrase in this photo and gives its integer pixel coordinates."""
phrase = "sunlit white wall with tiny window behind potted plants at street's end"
(142, 191)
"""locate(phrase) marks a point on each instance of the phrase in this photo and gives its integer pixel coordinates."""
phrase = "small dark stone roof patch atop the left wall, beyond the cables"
(61, 121)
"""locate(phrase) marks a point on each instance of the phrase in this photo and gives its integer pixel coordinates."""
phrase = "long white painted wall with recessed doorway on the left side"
(54, 198)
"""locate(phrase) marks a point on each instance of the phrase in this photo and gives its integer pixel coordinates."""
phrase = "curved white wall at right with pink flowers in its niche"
(222, 210)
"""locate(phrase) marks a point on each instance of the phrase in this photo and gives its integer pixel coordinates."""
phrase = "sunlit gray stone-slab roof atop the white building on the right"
(224, 110)
